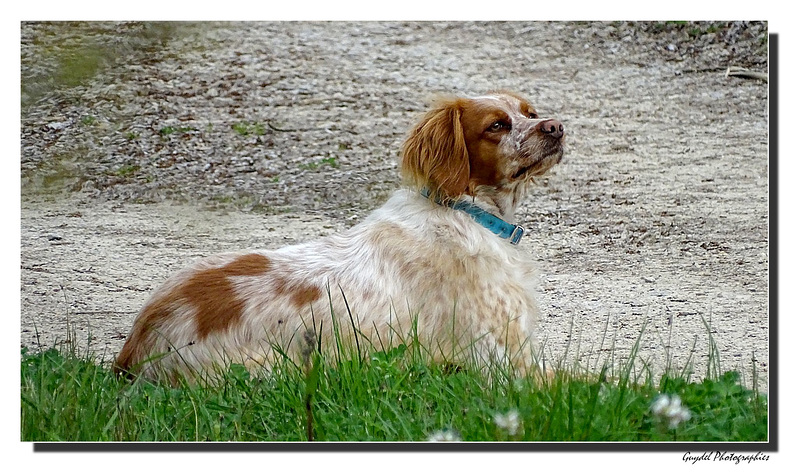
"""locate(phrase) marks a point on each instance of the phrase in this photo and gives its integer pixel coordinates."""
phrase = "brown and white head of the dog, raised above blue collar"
(494, 140)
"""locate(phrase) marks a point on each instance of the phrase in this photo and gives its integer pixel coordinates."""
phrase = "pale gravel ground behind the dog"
(145, 146)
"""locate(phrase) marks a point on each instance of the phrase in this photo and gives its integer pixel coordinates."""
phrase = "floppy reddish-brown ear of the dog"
(435, 154)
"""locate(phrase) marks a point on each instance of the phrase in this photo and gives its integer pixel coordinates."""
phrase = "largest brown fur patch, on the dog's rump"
(210, 292)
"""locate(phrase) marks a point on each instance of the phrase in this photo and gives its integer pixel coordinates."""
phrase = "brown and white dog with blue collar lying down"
(437, 262)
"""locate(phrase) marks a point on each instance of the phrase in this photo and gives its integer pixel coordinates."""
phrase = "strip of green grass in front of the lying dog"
(391, 395)
